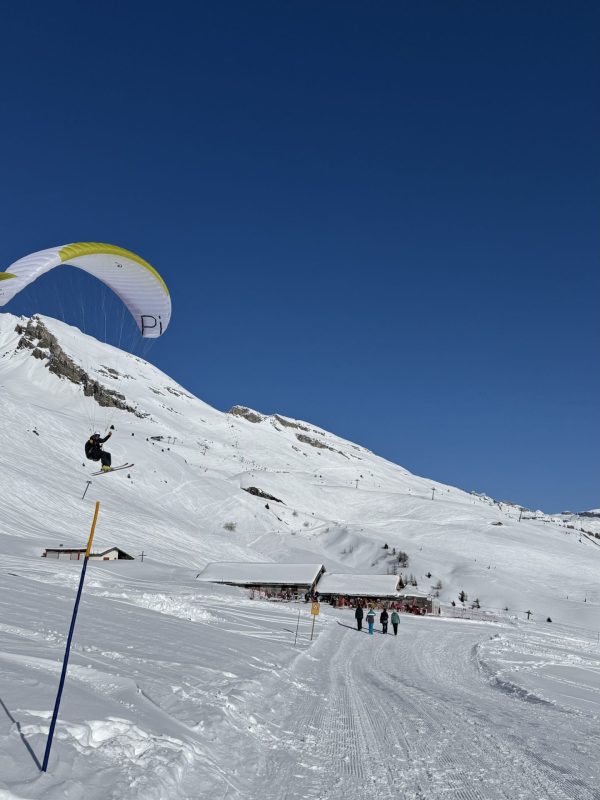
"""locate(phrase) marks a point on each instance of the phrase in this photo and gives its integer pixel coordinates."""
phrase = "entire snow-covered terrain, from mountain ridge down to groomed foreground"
(178, 690)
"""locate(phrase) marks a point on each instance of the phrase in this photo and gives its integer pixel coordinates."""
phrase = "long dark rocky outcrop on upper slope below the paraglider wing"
(45, 346)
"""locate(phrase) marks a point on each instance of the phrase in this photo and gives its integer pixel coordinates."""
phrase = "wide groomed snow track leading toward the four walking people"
(413, 717)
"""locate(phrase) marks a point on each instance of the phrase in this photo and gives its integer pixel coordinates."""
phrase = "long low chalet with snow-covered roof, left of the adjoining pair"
(294, 579)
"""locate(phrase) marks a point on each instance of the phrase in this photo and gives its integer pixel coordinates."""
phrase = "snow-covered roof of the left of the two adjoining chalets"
(259, 573)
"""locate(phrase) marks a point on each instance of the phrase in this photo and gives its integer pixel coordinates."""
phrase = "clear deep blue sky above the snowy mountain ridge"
(382, 218)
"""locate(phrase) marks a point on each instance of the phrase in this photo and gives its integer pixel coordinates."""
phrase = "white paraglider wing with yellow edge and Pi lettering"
(135, 281)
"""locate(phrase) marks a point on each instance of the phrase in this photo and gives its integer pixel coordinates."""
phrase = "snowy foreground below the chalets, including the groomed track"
(441, 712)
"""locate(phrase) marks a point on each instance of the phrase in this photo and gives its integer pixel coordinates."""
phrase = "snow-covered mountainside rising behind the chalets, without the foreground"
(185, 504)
